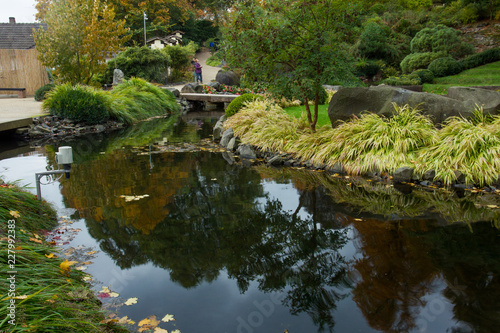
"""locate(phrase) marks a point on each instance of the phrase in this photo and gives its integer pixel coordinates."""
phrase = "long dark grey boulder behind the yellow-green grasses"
(353, 101)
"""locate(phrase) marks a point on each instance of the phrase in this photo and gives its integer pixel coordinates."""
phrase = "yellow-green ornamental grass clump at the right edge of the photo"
(471, 146)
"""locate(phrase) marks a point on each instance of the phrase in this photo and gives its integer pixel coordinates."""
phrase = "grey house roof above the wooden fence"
(18, 35)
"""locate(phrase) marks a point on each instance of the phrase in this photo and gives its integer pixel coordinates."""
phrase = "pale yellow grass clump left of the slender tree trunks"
(266, 125)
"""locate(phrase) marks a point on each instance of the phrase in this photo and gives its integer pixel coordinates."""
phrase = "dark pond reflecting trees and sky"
(158, 213)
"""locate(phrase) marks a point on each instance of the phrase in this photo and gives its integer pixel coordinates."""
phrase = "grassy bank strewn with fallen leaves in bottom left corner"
(43, 293)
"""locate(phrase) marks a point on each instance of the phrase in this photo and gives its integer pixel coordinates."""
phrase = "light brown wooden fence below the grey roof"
(22, 69)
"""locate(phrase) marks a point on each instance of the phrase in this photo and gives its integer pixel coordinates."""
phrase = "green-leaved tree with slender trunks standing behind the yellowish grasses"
(296, 45)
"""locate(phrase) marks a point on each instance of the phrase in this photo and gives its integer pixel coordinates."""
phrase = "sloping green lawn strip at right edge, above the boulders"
(487, 75)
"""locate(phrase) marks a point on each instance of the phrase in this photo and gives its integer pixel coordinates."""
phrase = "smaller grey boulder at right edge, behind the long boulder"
(488, 99)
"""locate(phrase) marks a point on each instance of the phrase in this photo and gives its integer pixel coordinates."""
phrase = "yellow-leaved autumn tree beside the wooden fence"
(80, 35)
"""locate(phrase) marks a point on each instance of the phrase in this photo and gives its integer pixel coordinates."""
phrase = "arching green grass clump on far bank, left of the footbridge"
(136, 99)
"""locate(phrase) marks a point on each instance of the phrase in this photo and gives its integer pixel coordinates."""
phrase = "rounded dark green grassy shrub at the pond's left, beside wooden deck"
(79, 103)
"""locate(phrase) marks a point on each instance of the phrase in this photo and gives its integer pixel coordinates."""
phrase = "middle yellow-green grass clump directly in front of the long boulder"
(377, 144)
